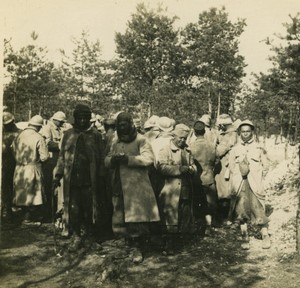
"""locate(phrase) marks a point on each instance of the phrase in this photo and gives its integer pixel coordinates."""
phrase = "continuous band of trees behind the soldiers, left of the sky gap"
(181, 73)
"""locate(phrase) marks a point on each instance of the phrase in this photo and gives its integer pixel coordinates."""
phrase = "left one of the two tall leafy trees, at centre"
(149, 54)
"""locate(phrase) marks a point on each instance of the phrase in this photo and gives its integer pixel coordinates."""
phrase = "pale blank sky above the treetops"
(57, 21)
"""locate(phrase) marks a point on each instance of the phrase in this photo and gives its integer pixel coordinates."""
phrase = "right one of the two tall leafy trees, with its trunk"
(213, 65)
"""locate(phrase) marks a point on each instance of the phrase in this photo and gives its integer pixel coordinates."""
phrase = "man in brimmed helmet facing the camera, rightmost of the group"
(247, 162)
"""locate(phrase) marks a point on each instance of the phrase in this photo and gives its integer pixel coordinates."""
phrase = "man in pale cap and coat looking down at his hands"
(176, 164)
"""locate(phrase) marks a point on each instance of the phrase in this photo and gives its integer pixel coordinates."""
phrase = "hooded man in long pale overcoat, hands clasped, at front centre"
(134, 203)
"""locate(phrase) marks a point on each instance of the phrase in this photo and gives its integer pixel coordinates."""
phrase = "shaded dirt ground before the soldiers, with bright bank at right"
(28, 258)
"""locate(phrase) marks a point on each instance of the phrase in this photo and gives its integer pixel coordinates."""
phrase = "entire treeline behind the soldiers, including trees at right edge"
(158, 69)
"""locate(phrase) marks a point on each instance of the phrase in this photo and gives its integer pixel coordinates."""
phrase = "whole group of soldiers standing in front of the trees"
(113, 175)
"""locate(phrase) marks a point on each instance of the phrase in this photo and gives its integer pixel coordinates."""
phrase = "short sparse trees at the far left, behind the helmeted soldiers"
(32, 83)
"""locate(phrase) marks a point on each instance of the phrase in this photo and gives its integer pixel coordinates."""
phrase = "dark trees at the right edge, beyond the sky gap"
(274, 102)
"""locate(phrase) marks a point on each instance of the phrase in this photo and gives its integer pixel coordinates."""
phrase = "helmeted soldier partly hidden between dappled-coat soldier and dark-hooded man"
(52, 133)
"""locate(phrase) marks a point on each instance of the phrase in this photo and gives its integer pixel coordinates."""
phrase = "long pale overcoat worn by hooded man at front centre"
(139, 200)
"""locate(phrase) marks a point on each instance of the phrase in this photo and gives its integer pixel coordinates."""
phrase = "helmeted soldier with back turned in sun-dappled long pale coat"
(30, 151)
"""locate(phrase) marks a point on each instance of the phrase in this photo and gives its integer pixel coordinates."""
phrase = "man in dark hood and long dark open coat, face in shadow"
(81, 165)
